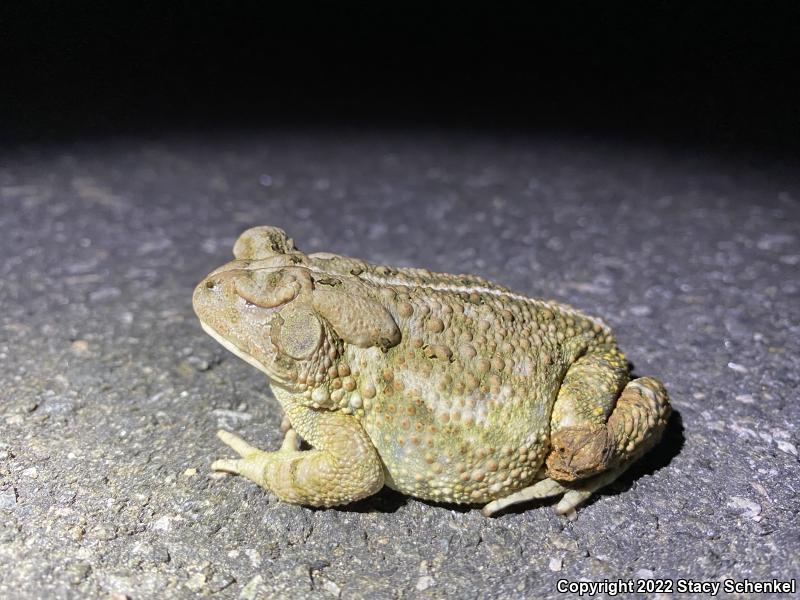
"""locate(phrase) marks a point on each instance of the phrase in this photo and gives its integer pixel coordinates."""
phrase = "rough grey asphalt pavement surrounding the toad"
(110, 393)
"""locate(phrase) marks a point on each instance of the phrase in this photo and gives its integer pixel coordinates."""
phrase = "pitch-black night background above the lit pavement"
(714, 73)
